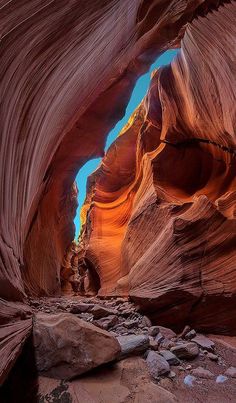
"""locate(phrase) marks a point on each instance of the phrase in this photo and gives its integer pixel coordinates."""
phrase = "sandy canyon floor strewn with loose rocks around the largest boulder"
(155, 364)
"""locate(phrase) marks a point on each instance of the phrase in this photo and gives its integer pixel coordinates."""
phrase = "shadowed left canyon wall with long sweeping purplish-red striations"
(67, 72)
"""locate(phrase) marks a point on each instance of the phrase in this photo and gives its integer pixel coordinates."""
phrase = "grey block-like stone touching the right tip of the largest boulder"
(132, 345)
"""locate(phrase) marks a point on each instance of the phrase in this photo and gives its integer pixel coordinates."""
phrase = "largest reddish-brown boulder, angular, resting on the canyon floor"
(66, 346)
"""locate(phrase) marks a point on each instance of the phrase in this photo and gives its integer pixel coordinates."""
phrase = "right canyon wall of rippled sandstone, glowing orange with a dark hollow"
(161, 208)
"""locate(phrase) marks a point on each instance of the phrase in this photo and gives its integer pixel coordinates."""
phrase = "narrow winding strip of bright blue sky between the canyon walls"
(137, 95)
